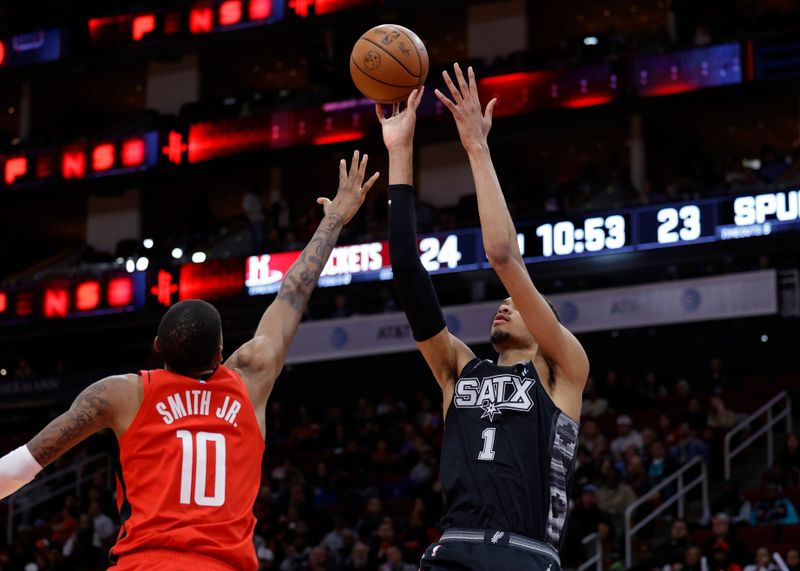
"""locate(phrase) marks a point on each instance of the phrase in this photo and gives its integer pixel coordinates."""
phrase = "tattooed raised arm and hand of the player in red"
(261, 359)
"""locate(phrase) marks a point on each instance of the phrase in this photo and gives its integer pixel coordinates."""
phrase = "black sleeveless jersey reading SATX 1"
(508, 454)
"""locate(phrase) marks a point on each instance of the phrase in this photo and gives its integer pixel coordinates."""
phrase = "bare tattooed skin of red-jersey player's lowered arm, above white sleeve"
(109, 403)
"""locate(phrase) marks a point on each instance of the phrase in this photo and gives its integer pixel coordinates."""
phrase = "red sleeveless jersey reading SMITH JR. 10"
(190, 470)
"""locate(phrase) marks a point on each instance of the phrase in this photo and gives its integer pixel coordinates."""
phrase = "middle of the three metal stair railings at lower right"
(679, 497)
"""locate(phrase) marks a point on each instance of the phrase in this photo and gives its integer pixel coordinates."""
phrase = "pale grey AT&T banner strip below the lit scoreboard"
(705, 299)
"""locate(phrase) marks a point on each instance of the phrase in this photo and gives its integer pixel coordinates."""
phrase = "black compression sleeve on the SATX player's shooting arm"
(410, 278)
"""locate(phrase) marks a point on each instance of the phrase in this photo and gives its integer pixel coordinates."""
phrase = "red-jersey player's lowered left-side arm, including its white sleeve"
(109, 403)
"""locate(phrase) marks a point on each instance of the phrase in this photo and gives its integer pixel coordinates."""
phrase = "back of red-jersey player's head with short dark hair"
(189, 335)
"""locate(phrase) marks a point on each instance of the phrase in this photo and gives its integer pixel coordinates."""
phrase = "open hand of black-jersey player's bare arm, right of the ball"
(473, 124)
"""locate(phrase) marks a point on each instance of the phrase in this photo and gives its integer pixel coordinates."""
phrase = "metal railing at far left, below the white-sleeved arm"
(55, 484)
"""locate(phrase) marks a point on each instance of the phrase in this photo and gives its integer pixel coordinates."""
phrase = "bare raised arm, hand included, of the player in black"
(500, 236)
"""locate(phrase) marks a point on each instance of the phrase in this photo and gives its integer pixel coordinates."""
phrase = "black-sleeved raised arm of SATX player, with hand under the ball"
(445, 354)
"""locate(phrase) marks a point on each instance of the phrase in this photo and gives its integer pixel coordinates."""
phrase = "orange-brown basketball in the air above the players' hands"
(388, 62)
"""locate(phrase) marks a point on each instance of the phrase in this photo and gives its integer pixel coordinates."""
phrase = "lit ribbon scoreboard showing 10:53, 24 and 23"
(637, 229)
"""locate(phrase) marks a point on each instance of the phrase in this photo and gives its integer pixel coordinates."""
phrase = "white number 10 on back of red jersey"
(200, 442)
